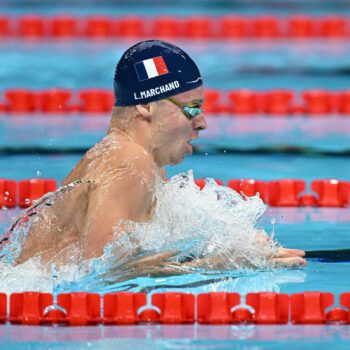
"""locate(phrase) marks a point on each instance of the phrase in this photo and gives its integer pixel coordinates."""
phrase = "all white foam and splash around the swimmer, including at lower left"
(191, 231)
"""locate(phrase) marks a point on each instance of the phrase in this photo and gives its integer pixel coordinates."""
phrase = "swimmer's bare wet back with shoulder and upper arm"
(118, 183)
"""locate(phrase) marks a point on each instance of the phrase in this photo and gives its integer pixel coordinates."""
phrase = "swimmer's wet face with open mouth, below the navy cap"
(173, 131)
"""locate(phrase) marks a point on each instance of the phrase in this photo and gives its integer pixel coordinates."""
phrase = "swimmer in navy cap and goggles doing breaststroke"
(157, 114)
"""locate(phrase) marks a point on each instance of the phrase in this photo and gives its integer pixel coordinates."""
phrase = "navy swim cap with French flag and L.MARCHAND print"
(152, 70)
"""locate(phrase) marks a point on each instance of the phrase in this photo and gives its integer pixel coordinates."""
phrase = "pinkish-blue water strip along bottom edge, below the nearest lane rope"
(176, 337)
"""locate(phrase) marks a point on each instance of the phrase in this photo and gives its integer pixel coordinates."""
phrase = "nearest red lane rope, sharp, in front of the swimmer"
(122, 308)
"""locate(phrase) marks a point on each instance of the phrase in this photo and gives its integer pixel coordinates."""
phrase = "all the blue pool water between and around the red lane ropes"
(25, 143)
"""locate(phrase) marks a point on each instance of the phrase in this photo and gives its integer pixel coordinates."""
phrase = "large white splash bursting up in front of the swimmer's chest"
(217, 224)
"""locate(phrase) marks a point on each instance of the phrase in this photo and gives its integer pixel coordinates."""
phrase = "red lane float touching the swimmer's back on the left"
(33, 189)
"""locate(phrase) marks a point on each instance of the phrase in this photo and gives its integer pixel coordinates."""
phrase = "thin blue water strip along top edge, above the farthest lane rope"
(181, 7)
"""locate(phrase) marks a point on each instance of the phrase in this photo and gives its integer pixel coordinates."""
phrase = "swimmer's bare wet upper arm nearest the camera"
(125, 196)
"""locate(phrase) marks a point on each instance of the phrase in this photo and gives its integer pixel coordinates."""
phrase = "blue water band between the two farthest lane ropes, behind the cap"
(224, 65)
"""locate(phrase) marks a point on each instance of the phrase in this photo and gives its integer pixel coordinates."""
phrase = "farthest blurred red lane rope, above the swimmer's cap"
(198, 27)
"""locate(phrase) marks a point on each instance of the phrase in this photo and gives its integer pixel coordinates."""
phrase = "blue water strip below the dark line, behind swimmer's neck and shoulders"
(223, 166)
